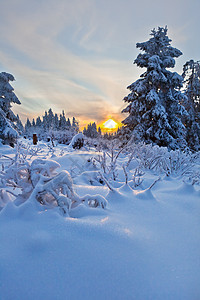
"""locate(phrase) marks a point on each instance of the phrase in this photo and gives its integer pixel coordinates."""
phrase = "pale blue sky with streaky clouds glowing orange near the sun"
(77, 55)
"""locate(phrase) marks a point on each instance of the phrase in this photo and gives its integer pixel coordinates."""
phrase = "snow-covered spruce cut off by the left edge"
(8, 128)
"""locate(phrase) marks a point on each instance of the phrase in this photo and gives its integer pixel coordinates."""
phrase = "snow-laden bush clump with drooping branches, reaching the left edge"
(39, 181)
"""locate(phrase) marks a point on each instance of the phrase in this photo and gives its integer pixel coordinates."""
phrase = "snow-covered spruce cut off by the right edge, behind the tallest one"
(191, 75)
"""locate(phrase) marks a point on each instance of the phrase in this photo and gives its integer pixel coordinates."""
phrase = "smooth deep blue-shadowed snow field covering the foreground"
(145, 244)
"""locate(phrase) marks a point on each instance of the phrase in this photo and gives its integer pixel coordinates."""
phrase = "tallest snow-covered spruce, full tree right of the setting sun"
(155, 113)
